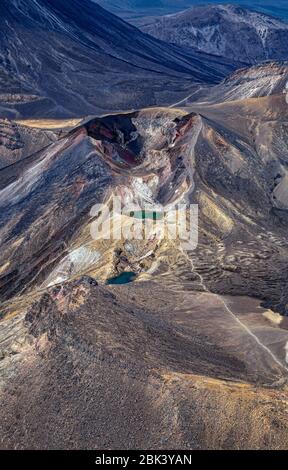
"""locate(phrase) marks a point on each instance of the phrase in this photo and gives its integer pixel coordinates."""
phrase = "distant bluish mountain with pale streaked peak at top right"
(225, 30)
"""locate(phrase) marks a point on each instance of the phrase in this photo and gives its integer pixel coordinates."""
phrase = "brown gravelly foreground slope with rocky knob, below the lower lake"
(94, 367)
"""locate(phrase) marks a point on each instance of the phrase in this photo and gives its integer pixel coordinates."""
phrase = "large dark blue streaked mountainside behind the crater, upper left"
(60, 58)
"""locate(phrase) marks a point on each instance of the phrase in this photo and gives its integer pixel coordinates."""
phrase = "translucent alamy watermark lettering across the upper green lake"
(115, 221)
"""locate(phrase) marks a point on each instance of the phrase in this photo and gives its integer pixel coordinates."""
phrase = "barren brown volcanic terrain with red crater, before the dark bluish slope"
(192, 353)
